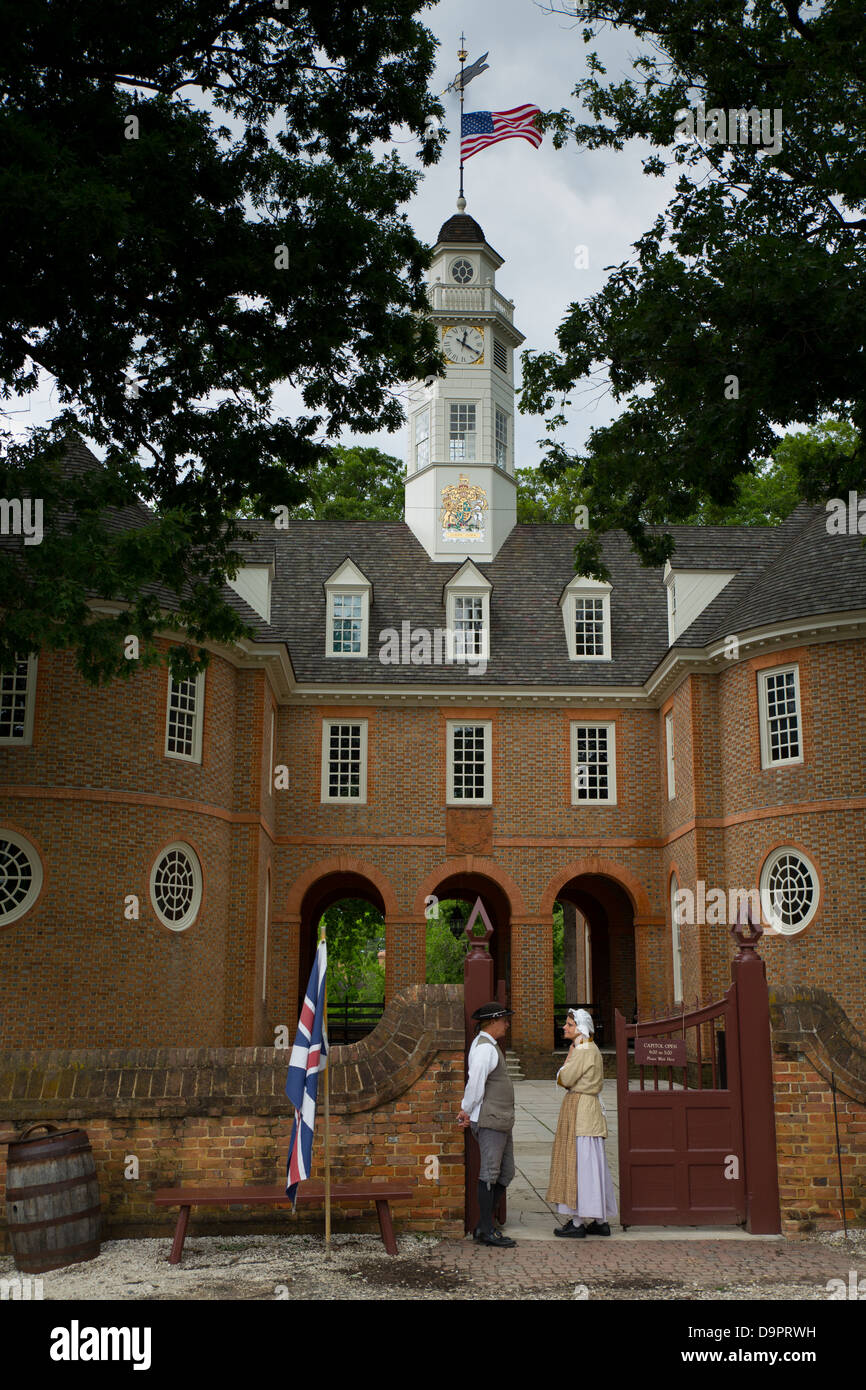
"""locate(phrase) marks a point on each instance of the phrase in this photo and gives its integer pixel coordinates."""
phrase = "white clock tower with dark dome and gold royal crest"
(461, 491)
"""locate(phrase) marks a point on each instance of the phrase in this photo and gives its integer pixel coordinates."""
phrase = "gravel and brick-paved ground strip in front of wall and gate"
(261, 1268)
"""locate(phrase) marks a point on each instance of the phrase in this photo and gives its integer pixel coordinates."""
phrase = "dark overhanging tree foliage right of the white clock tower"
(743, 308)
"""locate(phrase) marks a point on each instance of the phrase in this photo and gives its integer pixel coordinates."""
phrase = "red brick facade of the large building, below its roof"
(99, 799)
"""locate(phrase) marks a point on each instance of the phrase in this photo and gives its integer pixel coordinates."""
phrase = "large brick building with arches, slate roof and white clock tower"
(443, 708)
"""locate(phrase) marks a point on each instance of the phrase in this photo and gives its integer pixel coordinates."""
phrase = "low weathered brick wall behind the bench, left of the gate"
(195, 1117)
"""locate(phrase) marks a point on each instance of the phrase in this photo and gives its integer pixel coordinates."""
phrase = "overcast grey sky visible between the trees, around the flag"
(536, 206)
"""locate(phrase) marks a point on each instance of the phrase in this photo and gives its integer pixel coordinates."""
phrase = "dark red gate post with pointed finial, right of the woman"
(761, 1166)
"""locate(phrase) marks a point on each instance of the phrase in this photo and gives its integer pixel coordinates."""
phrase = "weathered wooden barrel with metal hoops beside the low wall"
(52, 1200)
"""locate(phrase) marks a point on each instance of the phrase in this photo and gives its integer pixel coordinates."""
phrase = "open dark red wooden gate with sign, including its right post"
(698, 1143)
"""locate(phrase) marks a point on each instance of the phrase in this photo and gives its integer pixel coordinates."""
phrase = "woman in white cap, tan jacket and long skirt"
(580, 1179)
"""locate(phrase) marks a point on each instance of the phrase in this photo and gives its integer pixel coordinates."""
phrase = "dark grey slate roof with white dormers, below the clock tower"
(792, 572)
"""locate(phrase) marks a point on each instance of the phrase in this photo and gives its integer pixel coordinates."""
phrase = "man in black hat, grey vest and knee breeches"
(489, 1109)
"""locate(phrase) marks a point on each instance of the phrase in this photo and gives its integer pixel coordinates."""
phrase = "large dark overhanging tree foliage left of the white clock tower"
(193, 212)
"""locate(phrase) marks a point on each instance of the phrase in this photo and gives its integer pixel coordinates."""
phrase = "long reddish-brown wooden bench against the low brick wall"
(309, 1195)
